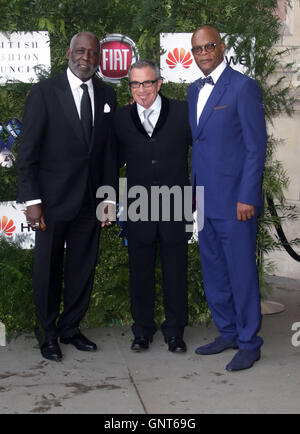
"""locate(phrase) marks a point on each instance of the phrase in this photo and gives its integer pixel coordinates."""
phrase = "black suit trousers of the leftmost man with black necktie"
(65, 252)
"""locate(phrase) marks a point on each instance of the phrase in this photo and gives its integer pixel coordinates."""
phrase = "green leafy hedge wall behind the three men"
(141, 20)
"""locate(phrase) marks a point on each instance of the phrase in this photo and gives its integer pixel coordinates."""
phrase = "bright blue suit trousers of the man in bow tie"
(228, 257)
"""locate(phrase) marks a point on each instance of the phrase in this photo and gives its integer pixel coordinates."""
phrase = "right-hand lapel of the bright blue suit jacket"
(213, 99)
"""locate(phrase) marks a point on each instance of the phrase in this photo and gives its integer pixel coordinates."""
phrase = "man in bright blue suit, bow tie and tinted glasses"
(229, 145)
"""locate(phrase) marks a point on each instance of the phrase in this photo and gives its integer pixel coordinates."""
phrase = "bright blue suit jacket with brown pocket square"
(229, 144)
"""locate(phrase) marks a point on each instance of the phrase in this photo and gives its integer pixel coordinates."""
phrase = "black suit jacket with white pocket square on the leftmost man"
(55, 163)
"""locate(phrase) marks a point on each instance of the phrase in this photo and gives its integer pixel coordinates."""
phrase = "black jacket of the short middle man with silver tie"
(160, 160)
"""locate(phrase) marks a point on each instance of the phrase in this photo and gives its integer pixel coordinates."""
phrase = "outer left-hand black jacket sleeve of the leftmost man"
(33, 127)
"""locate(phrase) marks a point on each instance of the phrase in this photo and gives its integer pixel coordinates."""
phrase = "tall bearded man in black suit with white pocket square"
(65, 154)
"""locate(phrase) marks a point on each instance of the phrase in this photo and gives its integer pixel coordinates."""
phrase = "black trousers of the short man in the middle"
(142, 260)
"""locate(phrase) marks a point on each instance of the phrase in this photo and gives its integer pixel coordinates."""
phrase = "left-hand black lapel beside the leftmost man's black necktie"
(66, 99)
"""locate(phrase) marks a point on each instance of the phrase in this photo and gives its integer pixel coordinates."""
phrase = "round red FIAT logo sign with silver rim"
(118, 53)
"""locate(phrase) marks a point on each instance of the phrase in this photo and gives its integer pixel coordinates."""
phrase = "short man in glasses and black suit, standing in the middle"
(153, 136)
